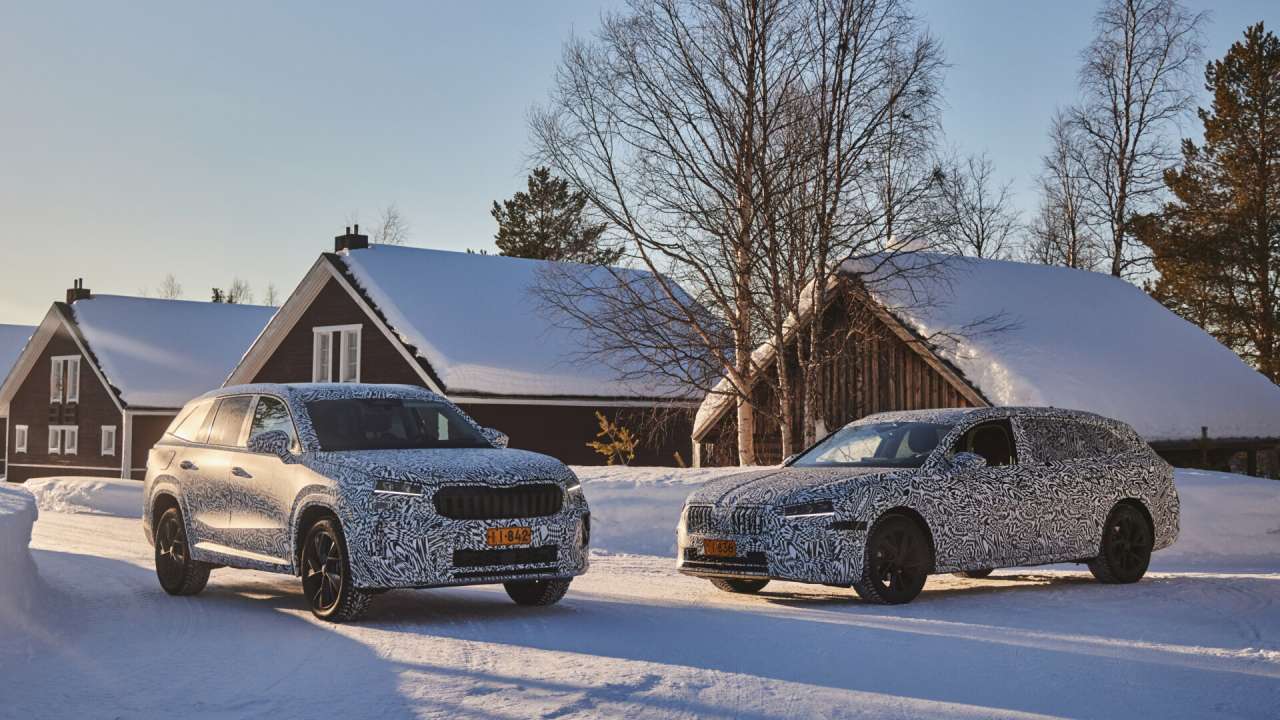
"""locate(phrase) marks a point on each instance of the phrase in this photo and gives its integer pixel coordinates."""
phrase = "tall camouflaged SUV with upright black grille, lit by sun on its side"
(358, 489)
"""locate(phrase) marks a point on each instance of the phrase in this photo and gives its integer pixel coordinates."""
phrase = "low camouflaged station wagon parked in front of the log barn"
(886, 502)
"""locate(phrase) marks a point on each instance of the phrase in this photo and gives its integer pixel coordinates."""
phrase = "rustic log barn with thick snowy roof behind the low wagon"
(954, 332)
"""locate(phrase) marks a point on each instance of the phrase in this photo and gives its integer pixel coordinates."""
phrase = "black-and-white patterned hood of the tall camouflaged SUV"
(481, 466)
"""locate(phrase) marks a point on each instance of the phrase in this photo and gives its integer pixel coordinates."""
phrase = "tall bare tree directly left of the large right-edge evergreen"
(1136, 84)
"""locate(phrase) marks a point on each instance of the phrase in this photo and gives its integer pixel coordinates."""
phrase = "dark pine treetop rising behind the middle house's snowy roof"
(547, 224)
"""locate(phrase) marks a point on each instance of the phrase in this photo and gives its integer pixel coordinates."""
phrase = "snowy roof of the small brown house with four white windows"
(163, 353)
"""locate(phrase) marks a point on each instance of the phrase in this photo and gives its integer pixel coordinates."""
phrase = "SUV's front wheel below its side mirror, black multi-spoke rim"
(327, 581)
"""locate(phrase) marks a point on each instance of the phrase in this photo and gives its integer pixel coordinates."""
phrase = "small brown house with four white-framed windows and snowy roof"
(103, 377)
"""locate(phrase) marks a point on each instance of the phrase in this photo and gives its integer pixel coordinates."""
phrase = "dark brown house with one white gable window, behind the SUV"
(470, 329)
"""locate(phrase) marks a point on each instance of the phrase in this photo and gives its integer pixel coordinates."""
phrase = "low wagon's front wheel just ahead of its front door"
(897, 562)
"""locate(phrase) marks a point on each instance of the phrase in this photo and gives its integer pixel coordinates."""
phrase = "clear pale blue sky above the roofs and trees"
(220, 140)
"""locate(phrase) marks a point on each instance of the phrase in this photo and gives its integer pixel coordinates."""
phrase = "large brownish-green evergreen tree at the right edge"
(1218, 244)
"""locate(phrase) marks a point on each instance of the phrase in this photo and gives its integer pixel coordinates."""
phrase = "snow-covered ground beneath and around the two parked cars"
(1200, 637)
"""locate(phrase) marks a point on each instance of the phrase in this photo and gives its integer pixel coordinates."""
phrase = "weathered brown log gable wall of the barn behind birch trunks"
(871, 371)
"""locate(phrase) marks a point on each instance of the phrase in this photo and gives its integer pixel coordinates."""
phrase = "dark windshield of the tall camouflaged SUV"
(391, 423)
